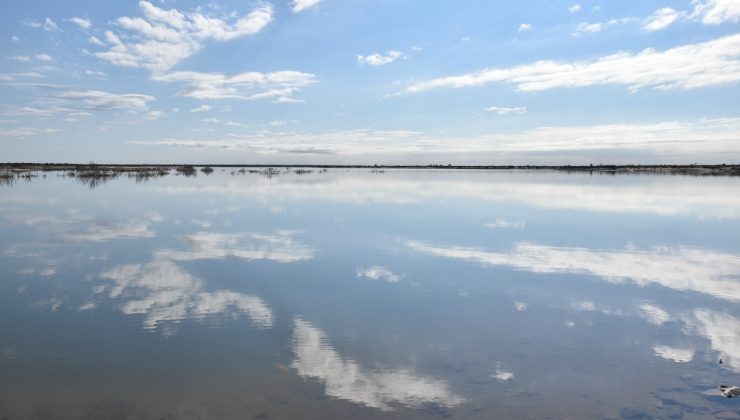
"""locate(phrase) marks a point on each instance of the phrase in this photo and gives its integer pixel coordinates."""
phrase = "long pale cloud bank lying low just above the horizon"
(667, 140)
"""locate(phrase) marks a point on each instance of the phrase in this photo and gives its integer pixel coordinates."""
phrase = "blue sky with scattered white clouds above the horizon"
(370, 81)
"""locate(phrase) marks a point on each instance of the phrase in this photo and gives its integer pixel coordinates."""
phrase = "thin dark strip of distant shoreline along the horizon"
(697, 169)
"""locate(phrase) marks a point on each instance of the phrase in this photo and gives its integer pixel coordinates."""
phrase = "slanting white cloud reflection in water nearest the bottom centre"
(343, 378)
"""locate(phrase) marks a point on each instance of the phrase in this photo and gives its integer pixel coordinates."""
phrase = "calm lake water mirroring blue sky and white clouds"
(365, 294)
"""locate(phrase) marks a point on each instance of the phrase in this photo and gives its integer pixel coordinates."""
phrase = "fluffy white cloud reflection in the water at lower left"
(166, 293)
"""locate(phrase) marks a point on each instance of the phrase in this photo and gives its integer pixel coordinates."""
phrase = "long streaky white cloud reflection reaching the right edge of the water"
(682, 269)
